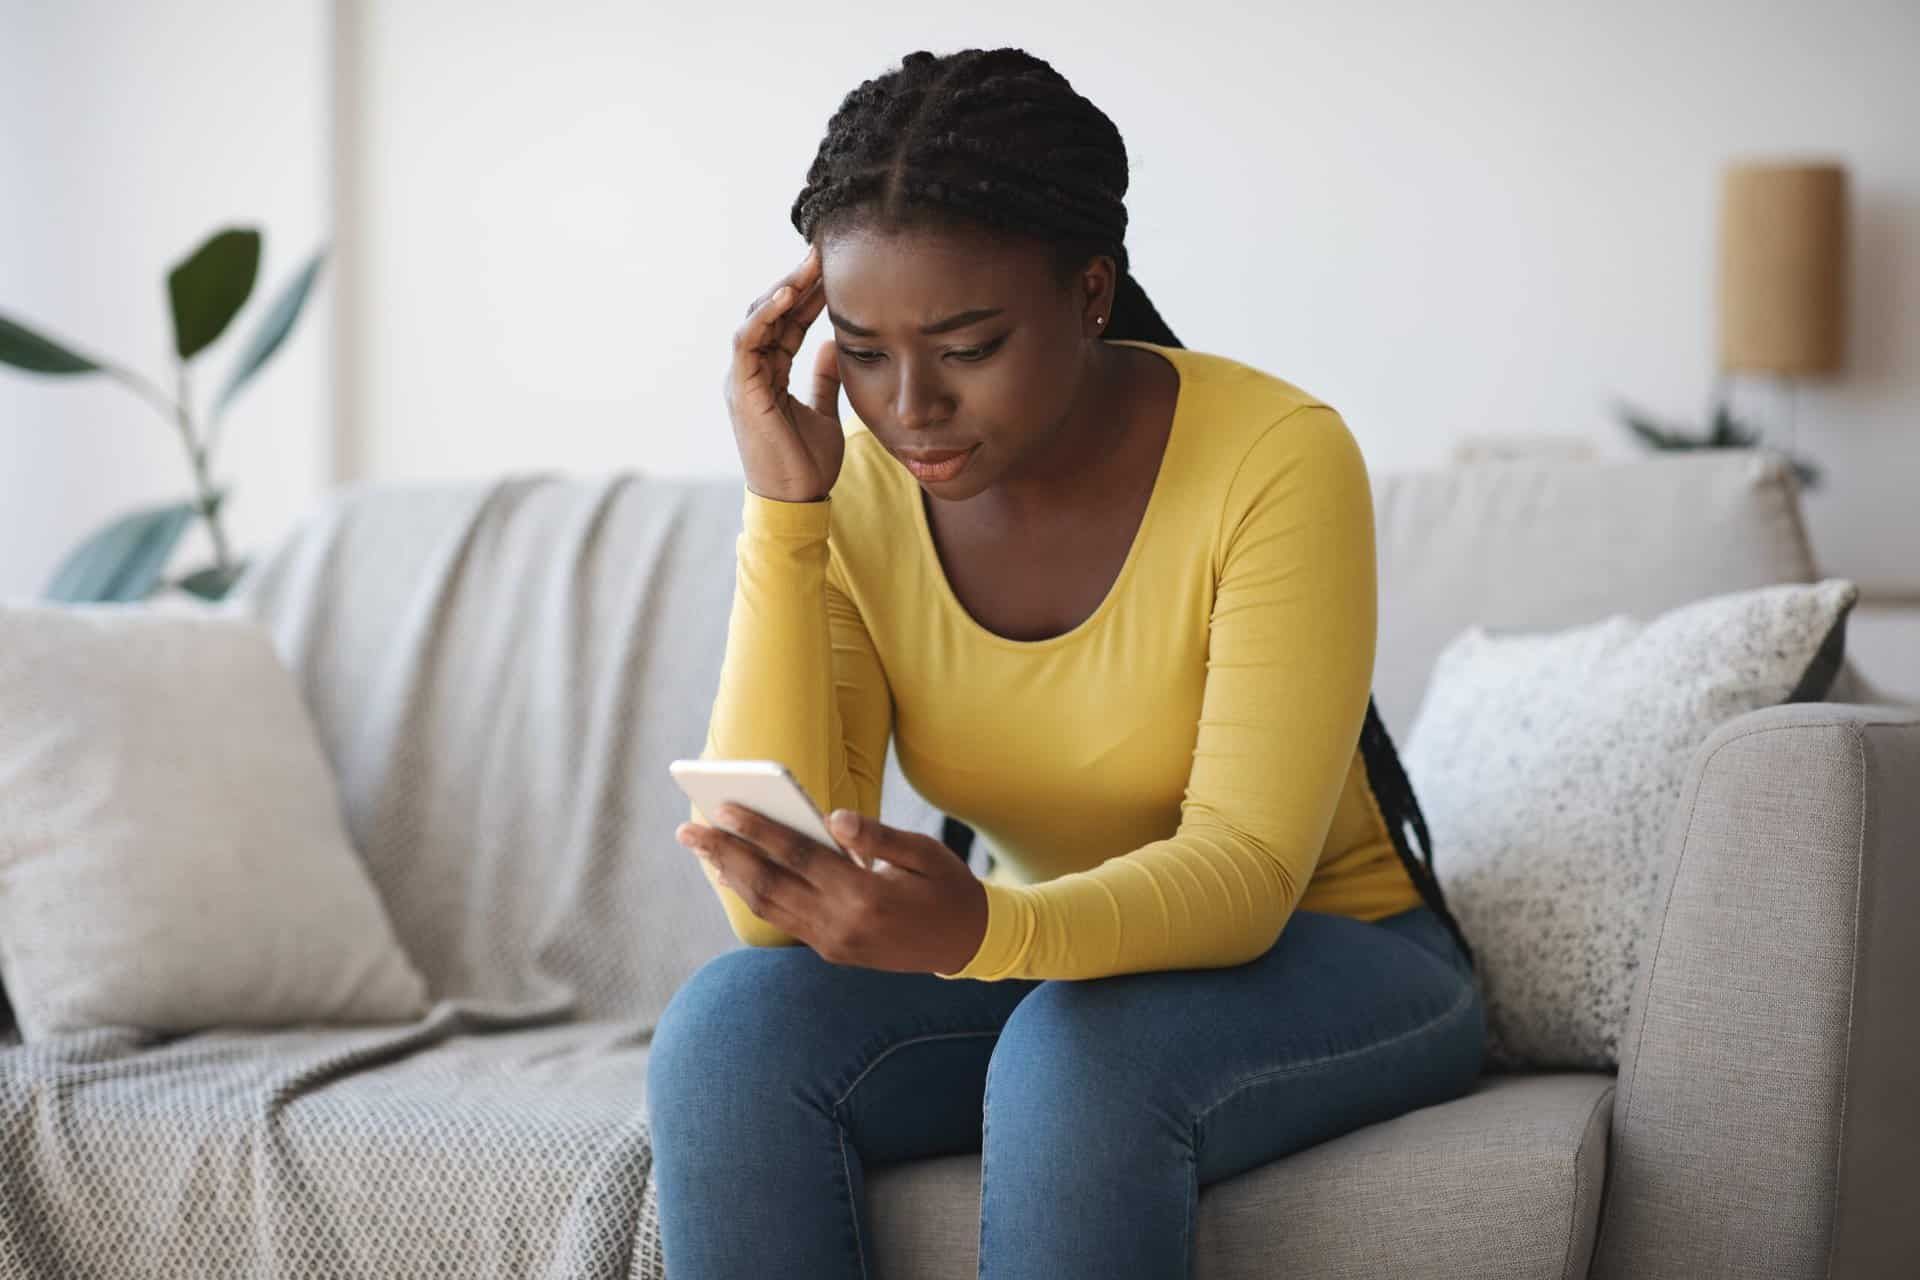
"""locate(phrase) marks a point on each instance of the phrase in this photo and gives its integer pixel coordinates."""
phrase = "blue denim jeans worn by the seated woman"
(1099, 1106)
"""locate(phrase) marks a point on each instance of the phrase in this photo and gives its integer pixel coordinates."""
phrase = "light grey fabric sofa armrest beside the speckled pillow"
(1765, 1118)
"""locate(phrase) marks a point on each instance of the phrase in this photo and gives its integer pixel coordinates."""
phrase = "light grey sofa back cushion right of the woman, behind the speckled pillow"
(1558, 544)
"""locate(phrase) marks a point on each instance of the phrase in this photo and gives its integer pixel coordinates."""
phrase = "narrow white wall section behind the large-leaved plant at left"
(128, 135)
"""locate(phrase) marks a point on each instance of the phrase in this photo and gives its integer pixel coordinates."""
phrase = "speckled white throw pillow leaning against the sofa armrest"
(1548, 765)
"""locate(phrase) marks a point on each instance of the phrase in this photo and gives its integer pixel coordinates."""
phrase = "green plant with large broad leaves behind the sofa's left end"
(128, 559)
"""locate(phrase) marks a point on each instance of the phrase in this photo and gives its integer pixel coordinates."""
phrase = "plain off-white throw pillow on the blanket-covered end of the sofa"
(172, 849)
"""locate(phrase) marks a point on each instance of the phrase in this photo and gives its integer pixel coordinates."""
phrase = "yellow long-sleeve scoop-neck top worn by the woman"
(1164, 784)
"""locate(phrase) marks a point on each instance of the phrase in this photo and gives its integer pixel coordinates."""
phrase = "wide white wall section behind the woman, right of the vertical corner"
(1445, 220)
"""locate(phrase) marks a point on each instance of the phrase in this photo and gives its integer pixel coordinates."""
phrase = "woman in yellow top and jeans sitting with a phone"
(1115, 604)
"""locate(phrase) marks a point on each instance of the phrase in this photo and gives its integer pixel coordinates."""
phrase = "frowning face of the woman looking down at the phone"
(1001, 377)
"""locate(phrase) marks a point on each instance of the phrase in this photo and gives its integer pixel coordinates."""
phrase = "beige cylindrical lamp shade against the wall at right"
(1783, 268)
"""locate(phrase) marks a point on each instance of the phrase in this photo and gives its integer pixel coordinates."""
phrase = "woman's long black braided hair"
(999, 139)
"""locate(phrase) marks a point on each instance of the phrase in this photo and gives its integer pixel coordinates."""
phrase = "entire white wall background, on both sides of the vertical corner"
(1483, 220)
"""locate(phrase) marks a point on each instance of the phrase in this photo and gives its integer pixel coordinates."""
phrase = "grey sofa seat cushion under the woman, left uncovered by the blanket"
(1500, 1183)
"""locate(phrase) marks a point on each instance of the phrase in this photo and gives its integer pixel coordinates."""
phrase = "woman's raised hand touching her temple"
(790, 452)
